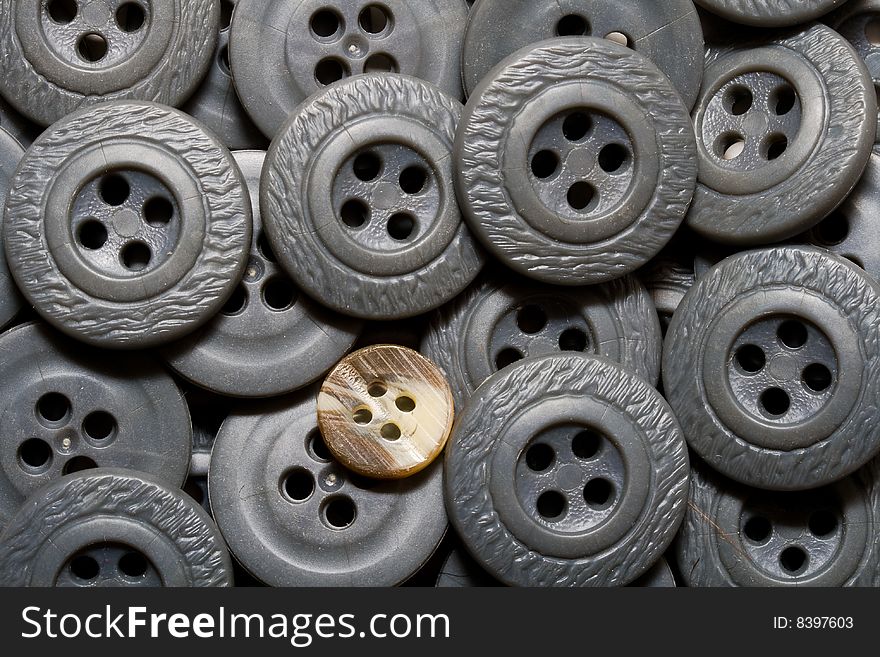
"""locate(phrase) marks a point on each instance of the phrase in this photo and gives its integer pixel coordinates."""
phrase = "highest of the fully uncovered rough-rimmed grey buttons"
(562, 178)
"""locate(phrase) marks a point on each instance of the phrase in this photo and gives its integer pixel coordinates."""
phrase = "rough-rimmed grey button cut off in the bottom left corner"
(112, 527)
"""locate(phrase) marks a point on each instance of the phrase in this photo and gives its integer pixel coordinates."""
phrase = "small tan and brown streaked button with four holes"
(385, 412)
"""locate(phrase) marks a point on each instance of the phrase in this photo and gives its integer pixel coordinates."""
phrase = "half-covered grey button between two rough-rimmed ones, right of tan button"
(505, 319)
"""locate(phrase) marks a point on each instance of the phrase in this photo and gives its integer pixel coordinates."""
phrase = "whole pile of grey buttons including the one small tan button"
(465, 293)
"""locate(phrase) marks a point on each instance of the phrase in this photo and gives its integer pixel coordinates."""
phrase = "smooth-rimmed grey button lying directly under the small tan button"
(293, 516)
